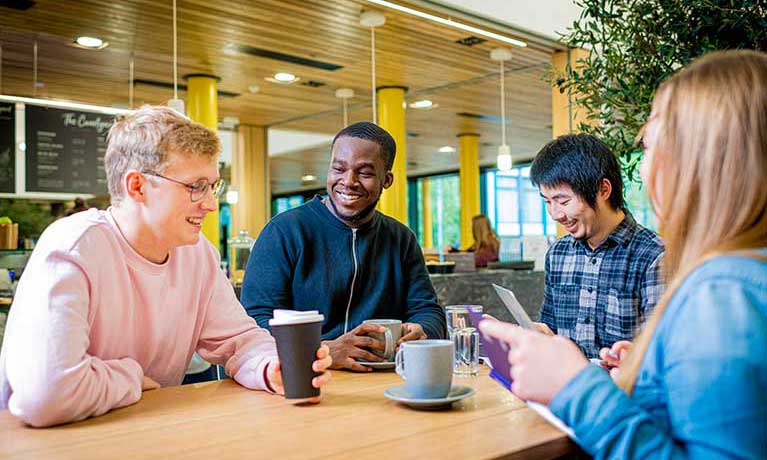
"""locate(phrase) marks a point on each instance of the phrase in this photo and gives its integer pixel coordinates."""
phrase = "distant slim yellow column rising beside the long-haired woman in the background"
(469, 180)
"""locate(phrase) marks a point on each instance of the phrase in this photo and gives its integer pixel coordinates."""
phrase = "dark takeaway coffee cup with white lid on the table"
(298, 337)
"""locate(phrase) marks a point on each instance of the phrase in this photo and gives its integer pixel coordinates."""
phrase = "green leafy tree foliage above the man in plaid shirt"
(636, 44)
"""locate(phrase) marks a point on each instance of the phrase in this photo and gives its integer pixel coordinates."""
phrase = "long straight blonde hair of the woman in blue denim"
(710, 162)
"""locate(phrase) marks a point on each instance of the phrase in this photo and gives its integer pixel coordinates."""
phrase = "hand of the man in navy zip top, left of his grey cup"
(355, 345)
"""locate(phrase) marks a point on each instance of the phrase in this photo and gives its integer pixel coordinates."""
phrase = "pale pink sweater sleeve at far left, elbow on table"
(52, 377)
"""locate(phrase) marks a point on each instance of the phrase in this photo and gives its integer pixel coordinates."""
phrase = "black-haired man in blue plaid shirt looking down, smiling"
(604, 278)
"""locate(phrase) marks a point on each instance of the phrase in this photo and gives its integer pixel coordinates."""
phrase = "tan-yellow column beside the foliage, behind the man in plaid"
(565, 114)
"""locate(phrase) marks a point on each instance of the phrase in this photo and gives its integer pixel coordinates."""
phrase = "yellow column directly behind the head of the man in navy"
(391, 117)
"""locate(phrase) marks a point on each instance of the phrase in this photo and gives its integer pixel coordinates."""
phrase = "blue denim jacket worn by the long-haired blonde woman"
(702, 387)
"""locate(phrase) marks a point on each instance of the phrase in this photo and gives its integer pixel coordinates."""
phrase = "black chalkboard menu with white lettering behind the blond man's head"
(65, 150)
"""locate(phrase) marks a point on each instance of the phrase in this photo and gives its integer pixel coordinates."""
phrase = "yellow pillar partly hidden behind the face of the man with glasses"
(202, 107)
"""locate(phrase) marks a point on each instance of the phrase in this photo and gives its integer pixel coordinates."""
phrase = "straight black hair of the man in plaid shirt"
(580, 161)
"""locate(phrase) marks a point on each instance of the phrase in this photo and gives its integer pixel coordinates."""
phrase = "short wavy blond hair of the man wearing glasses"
(144, 139)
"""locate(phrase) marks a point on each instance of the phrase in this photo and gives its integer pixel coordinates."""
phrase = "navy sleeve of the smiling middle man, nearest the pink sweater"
(268, 276)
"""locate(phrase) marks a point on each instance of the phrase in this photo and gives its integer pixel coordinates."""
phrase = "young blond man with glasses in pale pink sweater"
(115, 302)
